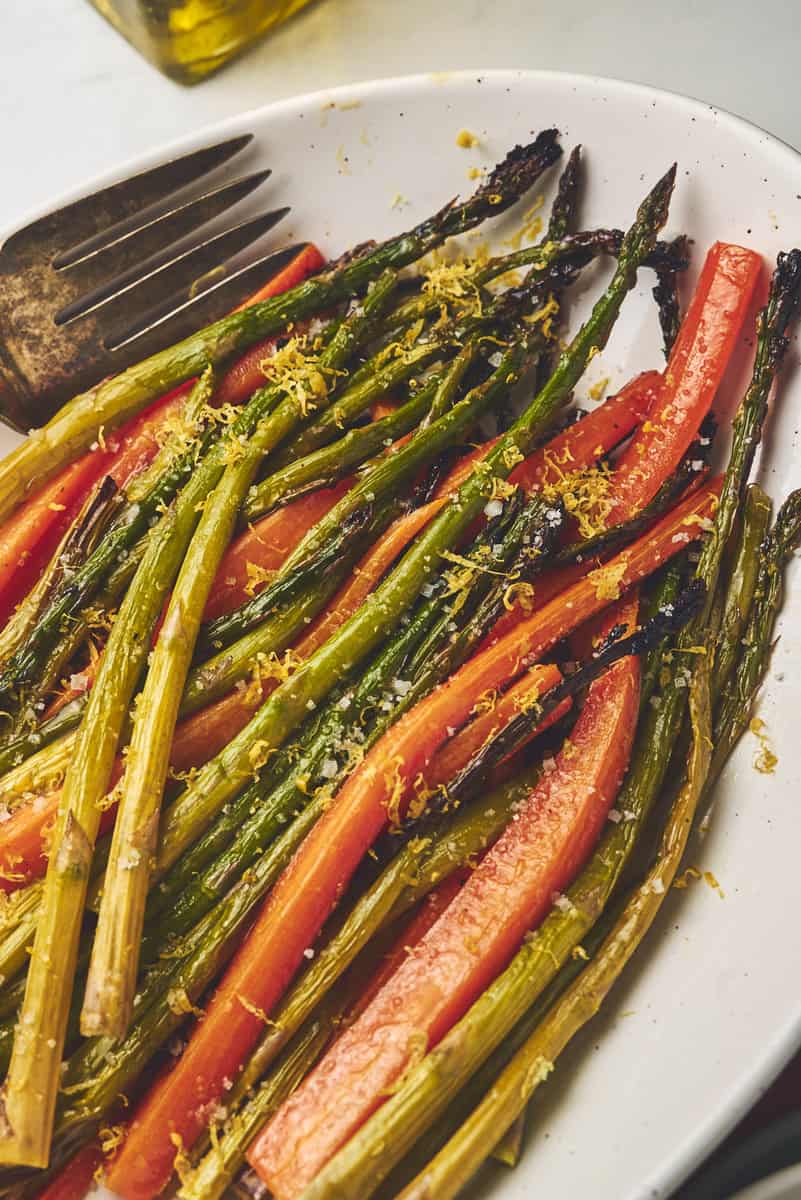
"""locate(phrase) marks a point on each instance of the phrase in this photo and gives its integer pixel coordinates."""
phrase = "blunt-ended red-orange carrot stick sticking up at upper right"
(698, 361)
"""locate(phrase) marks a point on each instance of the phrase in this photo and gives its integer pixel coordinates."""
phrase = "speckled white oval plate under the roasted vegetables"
(712, 1007)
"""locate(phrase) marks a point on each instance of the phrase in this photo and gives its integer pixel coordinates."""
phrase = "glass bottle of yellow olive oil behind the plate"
(190, 39)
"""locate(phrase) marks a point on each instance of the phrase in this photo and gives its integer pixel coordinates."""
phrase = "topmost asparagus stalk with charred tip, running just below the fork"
(111, 403)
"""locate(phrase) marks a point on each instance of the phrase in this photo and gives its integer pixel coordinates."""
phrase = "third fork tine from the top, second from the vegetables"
(138, 292)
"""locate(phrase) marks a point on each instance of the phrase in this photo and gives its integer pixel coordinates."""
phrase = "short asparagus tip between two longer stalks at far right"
(742, 587)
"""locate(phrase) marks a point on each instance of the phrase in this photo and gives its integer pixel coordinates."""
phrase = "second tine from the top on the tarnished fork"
(103, 259)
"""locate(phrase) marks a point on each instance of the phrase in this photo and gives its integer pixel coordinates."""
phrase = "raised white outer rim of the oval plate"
(785, 1042)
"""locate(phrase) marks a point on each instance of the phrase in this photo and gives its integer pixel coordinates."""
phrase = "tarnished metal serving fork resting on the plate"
(109, 280)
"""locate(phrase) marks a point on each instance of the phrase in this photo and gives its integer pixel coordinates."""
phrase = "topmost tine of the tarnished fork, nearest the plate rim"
(81, 220)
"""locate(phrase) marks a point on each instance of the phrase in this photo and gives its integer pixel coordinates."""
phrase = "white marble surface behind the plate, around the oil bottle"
(76, 99)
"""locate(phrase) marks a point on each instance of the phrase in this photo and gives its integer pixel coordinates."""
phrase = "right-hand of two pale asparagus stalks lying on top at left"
(109, 1000)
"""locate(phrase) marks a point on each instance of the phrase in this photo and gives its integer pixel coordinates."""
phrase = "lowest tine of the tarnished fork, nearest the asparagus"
(182, 314)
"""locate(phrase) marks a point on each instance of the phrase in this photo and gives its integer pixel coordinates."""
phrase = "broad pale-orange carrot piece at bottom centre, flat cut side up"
(508, 895)
